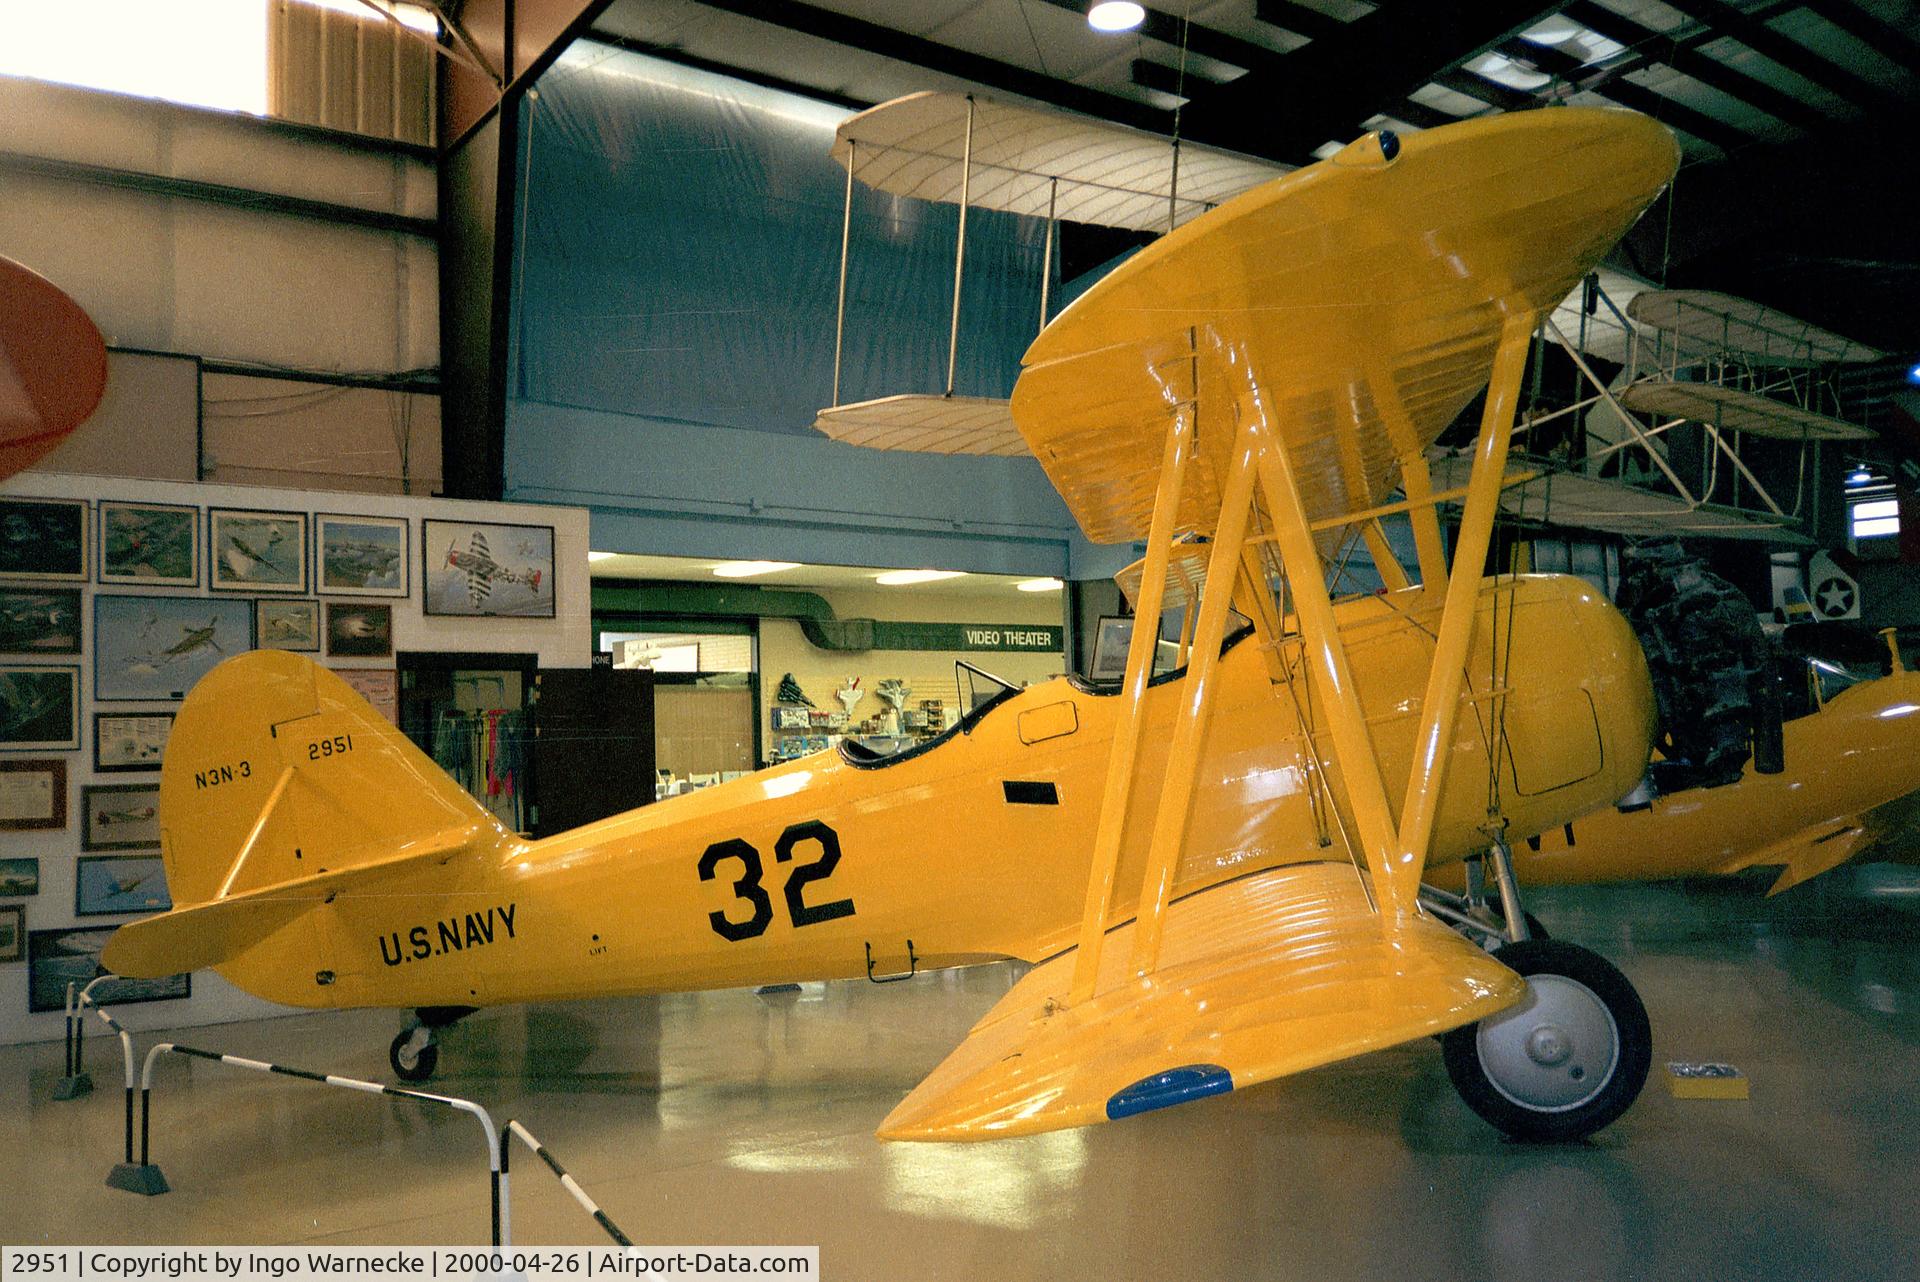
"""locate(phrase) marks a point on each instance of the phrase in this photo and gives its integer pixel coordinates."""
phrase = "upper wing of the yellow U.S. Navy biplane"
(1366, 297)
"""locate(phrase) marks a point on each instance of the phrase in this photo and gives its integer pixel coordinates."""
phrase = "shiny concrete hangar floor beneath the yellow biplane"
(742, 1120)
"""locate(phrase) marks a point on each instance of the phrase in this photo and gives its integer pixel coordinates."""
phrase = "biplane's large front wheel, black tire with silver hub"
(1545, 1056)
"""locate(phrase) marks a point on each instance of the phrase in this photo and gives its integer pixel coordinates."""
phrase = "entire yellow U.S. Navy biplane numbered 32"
(1218, 872)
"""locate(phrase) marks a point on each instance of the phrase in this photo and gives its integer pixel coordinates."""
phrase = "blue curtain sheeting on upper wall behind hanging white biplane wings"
(681, 256)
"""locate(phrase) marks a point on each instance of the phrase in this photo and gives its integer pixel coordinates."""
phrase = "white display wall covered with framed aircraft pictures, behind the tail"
(114, 607)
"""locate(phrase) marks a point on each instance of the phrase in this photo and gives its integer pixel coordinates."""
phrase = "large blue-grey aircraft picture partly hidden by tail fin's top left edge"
(149, 650)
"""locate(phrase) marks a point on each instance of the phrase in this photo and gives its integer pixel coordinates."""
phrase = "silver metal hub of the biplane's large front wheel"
(1554, 1051)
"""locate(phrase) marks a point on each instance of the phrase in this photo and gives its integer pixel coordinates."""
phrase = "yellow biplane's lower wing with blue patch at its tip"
(1260, 978)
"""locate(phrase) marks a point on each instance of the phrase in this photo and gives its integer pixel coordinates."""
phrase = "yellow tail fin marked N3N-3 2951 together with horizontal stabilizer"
(281, 782)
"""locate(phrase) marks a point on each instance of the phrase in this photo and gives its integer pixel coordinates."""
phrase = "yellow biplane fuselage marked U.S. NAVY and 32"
(978, 847)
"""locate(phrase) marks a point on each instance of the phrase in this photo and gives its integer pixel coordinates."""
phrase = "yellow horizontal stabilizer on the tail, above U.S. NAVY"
(199, 936)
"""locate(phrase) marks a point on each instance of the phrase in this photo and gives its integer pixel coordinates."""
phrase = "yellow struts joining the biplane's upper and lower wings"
(1395, 842)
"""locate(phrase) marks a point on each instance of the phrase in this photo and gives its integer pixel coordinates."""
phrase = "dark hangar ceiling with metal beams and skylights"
(1794, 114)
